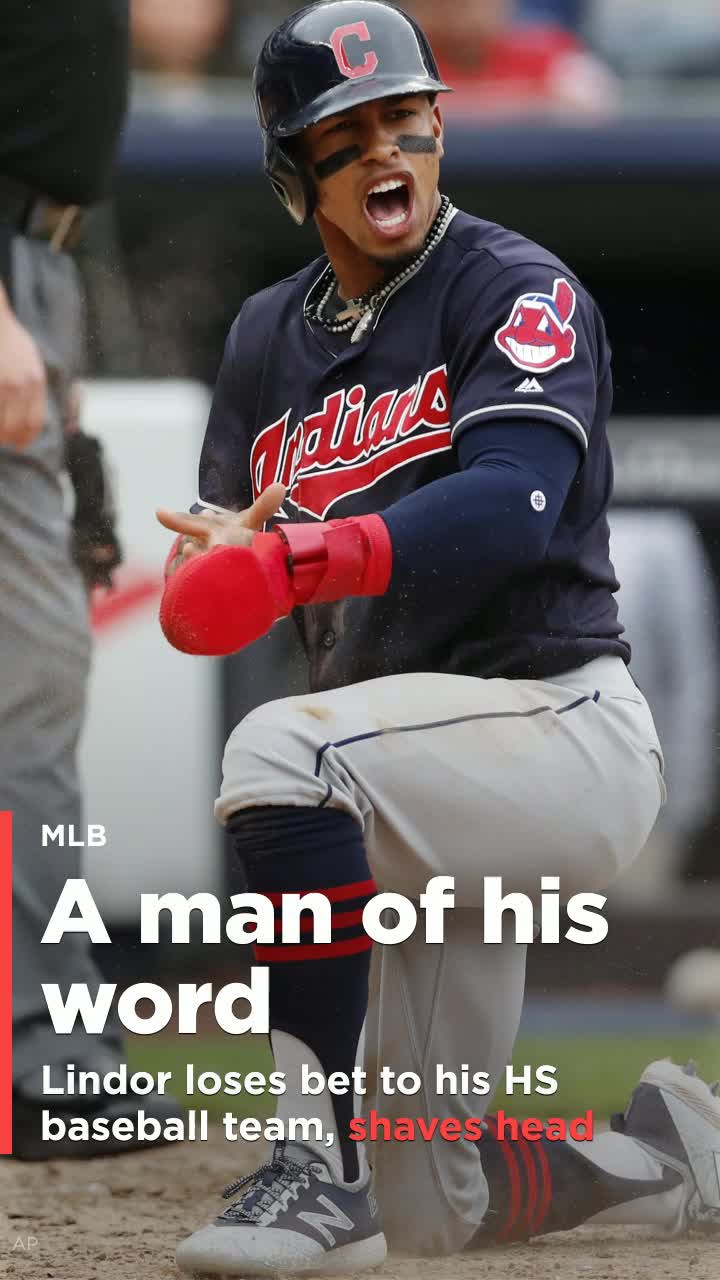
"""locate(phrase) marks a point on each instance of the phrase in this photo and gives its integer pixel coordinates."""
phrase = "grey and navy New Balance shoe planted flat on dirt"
(290, 1218)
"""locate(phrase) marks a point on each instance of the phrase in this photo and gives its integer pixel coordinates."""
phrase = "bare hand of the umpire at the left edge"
(22, 383)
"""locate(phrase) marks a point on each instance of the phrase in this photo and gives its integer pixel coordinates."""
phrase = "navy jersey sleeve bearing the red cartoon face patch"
(528, 345)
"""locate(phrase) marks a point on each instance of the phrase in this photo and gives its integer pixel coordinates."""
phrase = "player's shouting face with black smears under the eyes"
(376, 171)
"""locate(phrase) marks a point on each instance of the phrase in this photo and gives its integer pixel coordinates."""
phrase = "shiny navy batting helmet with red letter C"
(329, 58)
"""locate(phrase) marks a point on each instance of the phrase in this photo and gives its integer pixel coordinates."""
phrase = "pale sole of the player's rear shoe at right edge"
(692, 1108)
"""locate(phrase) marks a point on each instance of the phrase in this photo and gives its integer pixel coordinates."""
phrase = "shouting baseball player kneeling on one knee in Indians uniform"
(408, 452)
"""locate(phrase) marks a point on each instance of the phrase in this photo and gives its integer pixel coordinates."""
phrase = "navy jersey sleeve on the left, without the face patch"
(225, 460)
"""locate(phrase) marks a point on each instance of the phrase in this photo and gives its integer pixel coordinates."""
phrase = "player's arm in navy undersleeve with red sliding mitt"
(472, 529)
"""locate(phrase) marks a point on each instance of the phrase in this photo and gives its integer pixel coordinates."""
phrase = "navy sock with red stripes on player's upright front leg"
(318, 991)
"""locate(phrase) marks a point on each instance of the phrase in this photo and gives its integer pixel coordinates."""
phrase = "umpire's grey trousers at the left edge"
(45, 660)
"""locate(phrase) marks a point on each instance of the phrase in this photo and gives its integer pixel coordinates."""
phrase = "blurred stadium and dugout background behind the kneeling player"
(593, 126)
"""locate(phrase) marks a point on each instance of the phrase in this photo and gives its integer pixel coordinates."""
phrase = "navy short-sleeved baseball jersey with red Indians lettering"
(491, 328)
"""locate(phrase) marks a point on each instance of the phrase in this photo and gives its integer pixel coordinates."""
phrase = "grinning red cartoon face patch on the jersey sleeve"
(539, 336)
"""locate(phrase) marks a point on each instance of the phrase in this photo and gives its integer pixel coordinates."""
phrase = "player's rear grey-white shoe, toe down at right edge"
(677, 1117)
